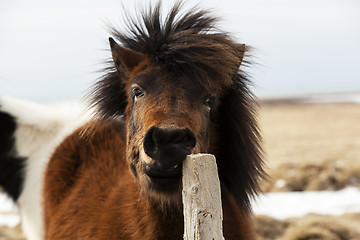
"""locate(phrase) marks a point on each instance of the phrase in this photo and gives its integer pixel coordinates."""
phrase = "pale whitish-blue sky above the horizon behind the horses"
(52, 50)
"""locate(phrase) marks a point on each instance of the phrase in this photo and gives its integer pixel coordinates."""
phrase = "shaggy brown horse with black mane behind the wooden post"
(174, 88)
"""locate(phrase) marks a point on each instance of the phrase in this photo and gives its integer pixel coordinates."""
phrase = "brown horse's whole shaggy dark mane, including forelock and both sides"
(190, 45)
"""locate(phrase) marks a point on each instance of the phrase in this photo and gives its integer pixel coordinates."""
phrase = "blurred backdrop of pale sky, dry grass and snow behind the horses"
(307, 77)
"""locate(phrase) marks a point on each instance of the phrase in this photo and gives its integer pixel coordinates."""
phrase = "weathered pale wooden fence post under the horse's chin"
(201, 198)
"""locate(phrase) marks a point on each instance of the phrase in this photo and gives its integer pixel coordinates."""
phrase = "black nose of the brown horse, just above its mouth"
(169, 146)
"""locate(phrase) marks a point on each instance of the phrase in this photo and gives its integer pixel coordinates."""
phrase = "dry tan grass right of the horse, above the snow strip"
(311, 146)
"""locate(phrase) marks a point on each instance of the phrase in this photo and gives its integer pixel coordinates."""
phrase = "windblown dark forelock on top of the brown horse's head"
(186, 43)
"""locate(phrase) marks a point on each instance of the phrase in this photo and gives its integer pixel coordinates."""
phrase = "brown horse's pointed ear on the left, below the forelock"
(125, 59)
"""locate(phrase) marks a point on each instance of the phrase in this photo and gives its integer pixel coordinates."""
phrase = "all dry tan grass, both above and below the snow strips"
(308, 147)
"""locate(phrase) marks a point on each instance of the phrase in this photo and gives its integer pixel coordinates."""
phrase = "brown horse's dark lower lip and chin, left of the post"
(164, 179)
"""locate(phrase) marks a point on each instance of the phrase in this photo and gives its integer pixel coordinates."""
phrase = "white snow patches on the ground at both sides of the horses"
(277, 205)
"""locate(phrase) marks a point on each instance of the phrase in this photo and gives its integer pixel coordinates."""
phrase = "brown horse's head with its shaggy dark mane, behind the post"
(179, 86)
